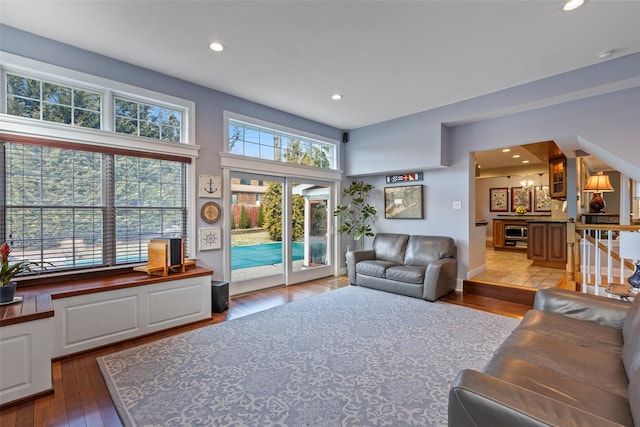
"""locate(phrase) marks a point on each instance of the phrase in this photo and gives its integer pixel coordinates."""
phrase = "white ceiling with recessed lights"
(388, 58)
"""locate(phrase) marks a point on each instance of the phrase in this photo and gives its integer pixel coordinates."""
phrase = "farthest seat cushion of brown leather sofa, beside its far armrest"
(602, 338)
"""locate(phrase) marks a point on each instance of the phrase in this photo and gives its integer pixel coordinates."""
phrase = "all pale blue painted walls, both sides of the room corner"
(566, 108)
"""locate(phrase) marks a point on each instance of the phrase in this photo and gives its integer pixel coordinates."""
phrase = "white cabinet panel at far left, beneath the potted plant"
(25, 367)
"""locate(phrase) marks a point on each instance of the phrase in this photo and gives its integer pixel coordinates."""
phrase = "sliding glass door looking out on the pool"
(280, 231)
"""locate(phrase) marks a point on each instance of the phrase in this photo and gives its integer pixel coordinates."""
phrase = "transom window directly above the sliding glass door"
(250, 140)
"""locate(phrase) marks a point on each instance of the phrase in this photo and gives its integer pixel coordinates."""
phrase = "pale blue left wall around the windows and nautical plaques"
(210, 104)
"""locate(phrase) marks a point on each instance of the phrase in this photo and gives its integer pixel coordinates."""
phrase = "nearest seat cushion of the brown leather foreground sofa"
(561, 388)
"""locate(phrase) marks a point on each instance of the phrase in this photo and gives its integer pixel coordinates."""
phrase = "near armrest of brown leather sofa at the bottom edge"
(477, 399)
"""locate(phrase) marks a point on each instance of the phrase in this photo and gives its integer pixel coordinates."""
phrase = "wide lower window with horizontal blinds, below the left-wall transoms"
(74, 207)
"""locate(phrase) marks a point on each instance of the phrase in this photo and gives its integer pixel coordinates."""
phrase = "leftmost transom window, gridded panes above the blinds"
(52, 102)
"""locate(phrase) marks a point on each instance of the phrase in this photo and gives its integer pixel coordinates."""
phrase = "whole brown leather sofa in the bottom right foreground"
(573, 361)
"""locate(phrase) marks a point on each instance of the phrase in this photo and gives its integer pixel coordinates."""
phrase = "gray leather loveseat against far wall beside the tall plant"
(417, 266)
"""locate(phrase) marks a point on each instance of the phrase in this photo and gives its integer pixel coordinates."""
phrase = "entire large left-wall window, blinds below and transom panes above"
(87, 178)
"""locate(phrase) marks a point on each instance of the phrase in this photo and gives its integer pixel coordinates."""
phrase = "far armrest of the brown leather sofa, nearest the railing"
(604, 311)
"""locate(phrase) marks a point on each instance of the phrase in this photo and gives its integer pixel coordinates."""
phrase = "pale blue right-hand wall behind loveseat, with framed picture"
(569, 110)
